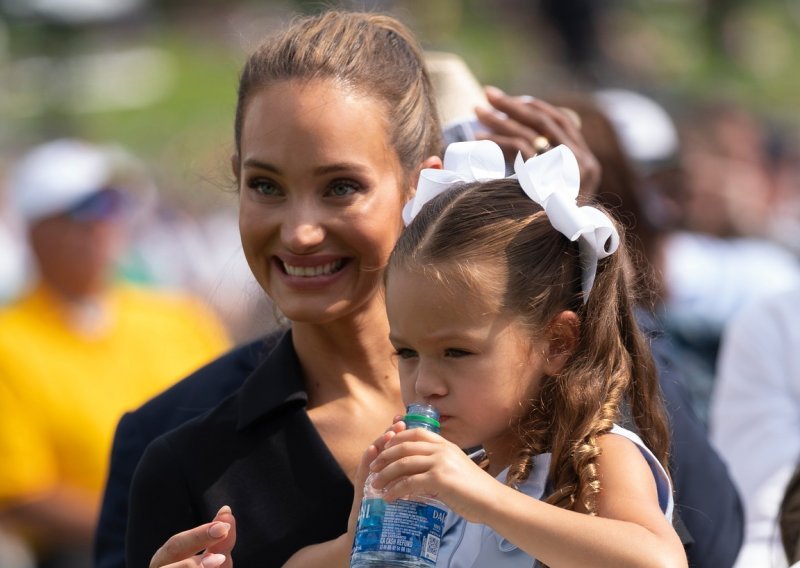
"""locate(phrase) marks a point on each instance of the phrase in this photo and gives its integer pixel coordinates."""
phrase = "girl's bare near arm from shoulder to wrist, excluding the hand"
(629, 530)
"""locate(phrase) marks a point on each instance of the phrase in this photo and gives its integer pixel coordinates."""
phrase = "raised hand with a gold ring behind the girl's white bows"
(531, 126)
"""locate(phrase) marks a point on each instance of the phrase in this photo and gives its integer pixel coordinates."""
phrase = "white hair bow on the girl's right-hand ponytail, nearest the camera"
(552, 180)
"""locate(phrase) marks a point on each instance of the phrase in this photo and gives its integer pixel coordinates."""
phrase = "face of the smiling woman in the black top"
(321, 195)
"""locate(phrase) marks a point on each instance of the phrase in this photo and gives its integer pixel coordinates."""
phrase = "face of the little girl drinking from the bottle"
(480, 368)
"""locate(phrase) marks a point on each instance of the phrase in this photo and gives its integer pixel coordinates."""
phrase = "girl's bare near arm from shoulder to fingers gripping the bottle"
(630, 529)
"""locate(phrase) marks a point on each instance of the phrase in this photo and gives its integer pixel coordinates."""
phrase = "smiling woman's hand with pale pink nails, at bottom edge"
(216, 539)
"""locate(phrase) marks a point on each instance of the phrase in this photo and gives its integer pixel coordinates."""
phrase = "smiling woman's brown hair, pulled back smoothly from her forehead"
(372, 54)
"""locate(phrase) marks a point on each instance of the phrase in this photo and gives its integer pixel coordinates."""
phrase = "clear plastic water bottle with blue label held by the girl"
(401, 534)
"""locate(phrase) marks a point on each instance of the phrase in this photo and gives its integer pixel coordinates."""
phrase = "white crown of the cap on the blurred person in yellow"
(54, 177)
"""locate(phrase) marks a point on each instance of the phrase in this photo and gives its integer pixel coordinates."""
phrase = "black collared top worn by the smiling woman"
(258, 452)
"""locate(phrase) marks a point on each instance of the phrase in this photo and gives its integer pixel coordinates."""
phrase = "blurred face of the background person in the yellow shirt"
(77, 250)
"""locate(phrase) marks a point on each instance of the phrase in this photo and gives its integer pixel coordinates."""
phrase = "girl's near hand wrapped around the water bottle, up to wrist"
(420, 463)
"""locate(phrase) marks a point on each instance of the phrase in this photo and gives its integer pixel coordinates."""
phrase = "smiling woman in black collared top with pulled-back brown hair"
(330, 139)
